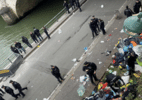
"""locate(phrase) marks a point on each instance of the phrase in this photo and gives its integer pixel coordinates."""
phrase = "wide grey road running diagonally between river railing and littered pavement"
(61, 49)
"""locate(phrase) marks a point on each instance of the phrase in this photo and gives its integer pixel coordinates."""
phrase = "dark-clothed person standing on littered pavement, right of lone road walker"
(90, 68)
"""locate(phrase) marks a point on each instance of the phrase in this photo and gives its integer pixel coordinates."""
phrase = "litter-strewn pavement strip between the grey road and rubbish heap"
(68, 89)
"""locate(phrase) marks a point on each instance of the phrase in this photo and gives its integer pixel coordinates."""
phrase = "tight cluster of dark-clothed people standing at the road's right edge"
(96, 25)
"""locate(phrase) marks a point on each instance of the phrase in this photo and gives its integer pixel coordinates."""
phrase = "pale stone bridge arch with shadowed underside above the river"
(17, 9)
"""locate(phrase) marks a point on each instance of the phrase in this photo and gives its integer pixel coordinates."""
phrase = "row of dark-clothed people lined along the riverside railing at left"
(18, 48)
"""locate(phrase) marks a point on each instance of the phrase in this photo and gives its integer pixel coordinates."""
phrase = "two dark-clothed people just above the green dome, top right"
(136, 8)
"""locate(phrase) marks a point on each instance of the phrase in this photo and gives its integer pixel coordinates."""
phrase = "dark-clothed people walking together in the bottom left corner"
(10, 91)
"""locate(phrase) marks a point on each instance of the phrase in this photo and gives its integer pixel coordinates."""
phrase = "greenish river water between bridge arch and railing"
(38, 17)
